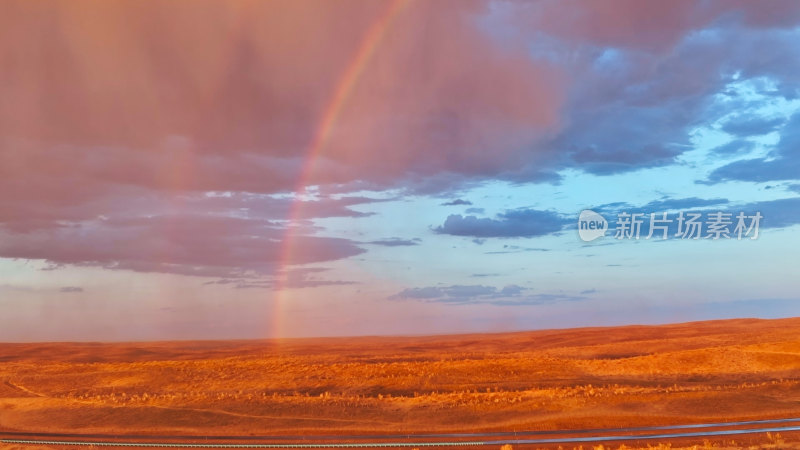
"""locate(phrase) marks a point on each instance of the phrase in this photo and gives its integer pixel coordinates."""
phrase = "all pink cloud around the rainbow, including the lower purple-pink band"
(116, 117)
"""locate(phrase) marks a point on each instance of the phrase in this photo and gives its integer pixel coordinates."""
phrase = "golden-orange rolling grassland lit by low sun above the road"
(557, 379)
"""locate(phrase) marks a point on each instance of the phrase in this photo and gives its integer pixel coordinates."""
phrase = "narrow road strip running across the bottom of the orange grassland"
(414, 440)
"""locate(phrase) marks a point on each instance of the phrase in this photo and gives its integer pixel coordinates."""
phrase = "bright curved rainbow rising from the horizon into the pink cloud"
(342, 92)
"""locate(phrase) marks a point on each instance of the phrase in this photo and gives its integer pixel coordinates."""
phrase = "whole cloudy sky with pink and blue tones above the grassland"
(247, 169)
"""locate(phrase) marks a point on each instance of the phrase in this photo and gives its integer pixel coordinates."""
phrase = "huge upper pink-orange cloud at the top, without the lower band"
(256, 77)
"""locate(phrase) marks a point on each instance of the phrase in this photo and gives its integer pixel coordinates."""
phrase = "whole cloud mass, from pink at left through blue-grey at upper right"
(117, 117)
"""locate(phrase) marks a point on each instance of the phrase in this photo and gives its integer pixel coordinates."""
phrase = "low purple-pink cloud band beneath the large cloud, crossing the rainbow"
(199, 245)
